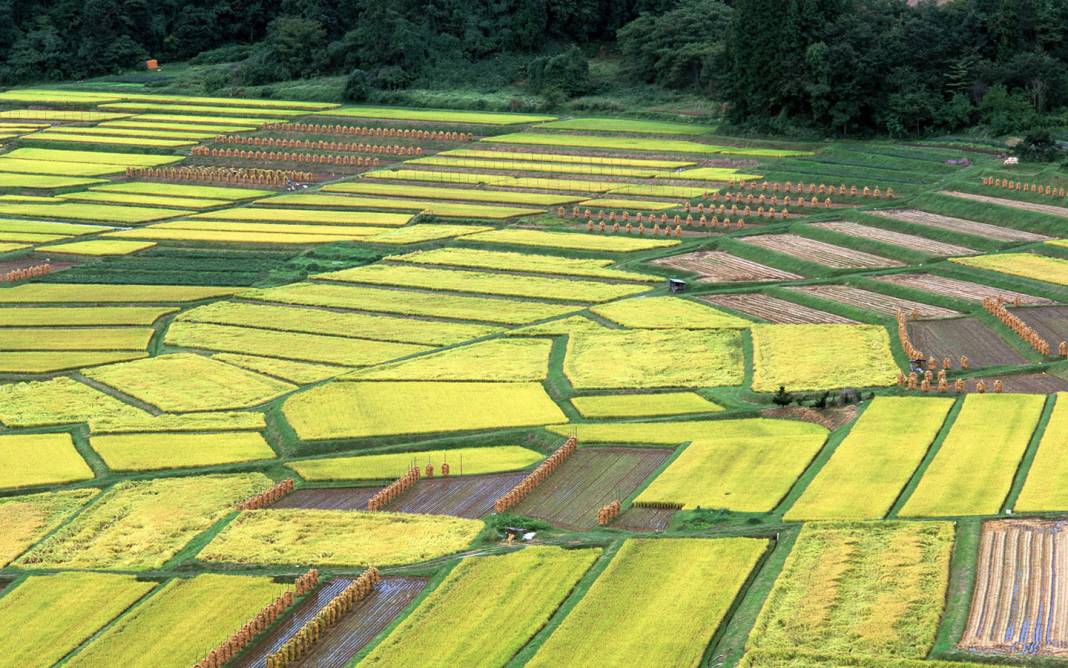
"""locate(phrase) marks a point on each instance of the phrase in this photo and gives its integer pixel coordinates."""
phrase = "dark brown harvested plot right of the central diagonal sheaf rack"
(590, 479)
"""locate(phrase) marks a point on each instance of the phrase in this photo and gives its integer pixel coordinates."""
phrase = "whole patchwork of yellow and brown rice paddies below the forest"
(803, 441)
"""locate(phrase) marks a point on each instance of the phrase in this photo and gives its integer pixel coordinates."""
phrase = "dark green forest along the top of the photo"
(836, 68)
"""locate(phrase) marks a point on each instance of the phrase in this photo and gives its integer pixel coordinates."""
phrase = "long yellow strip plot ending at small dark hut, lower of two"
(457, 281)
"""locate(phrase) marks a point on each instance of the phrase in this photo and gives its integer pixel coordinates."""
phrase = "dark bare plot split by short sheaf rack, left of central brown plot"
(470, 496)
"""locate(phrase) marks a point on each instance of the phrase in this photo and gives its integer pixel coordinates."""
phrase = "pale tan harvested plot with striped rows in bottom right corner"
(1019, 604)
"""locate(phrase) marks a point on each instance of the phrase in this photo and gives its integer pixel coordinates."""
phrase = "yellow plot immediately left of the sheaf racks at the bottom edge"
(181, 623)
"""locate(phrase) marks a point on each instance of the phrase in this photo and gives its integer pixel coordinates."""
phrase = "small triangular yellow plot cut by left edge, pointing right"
(28, 519)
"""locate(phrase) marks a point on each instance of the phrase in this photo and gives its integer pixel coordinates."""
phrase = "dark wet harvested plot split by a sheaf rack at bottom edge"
(343, 641)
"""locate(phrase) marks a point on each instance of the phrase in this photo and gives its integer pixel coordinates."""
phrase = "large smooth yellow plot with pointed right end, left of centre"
(372, 409)
